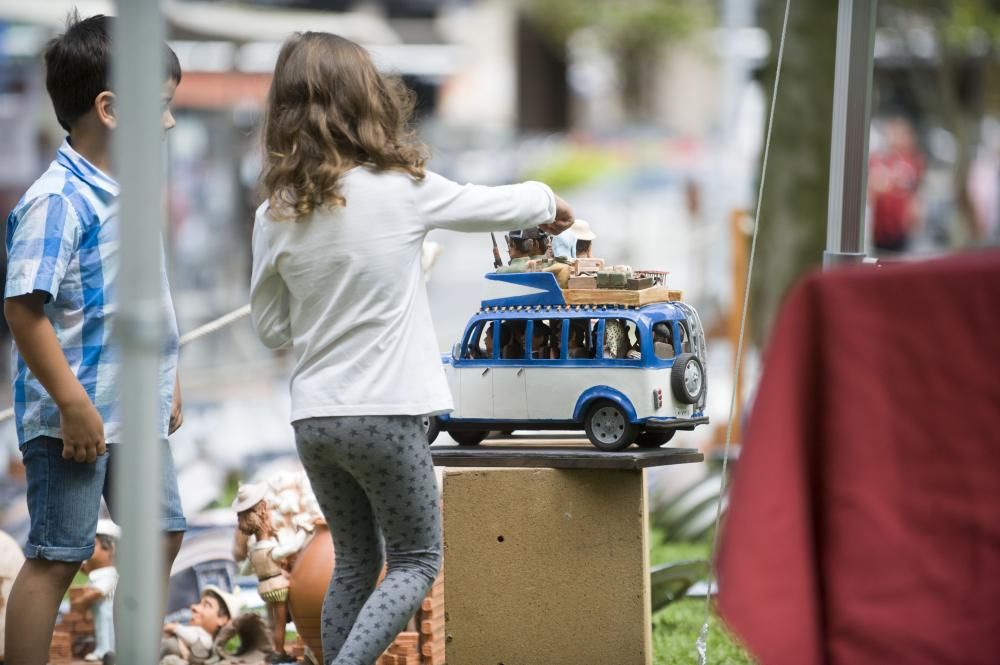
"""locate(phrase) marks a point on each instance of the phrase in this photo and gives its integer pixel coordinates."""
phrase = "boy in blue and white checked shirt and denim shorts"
(60, 302)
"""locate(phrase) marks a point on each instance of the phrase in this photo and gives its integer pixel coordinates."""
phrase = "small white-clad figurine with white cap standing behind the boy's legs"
(99, 595)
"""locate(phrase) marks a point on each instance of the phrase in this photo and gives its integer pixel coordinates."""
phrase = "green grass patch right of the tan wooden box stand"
(677, 626)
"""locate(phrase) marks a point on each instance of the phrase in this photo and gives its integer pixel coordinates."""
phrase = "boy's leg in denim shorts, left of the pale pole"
(64, 500)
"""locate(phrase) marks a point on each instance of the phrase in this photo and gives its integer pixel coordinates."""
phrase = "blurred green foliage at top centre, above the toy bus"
(625, 24)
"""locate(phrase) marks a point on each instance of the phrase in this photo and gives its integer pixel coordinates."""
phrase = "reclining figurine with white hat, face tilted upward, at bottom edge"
(193, 643)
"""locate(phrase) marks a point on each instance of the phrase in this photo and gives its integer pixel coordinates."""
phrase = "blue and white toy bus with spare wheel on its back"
(528, 360)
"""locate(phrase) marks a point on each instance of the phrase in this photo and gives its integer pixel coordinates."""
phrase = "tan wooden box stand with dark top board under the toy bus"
(548, 565)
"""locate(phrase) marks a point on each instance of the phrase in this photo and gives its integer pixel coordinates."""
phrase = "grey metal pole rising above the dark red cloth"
(852, 88)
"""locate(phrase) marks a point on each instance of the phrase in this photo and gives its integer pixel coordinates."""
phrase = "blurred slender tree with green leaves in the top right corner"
(966, 36)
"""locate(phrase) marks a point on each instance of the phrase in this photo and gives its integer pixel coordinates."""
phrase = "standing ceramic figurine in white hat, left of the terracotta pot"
(268, 557)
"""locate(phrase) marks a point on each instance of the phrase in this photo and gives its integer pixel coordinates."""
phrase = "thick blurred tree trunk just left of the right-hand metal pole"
(792, 233)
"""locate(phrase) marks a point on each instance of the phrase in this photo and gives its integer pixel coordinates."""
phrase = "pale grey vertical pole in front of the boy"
(138, 75)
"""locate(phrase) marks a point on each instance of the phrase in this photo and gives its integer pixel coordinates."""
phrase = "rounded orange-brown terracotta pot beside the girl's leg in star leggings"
(310, 578)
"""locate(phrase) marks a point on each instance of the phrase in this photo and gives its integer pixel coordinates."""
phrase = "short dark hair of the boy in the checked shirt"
(78, 66)
